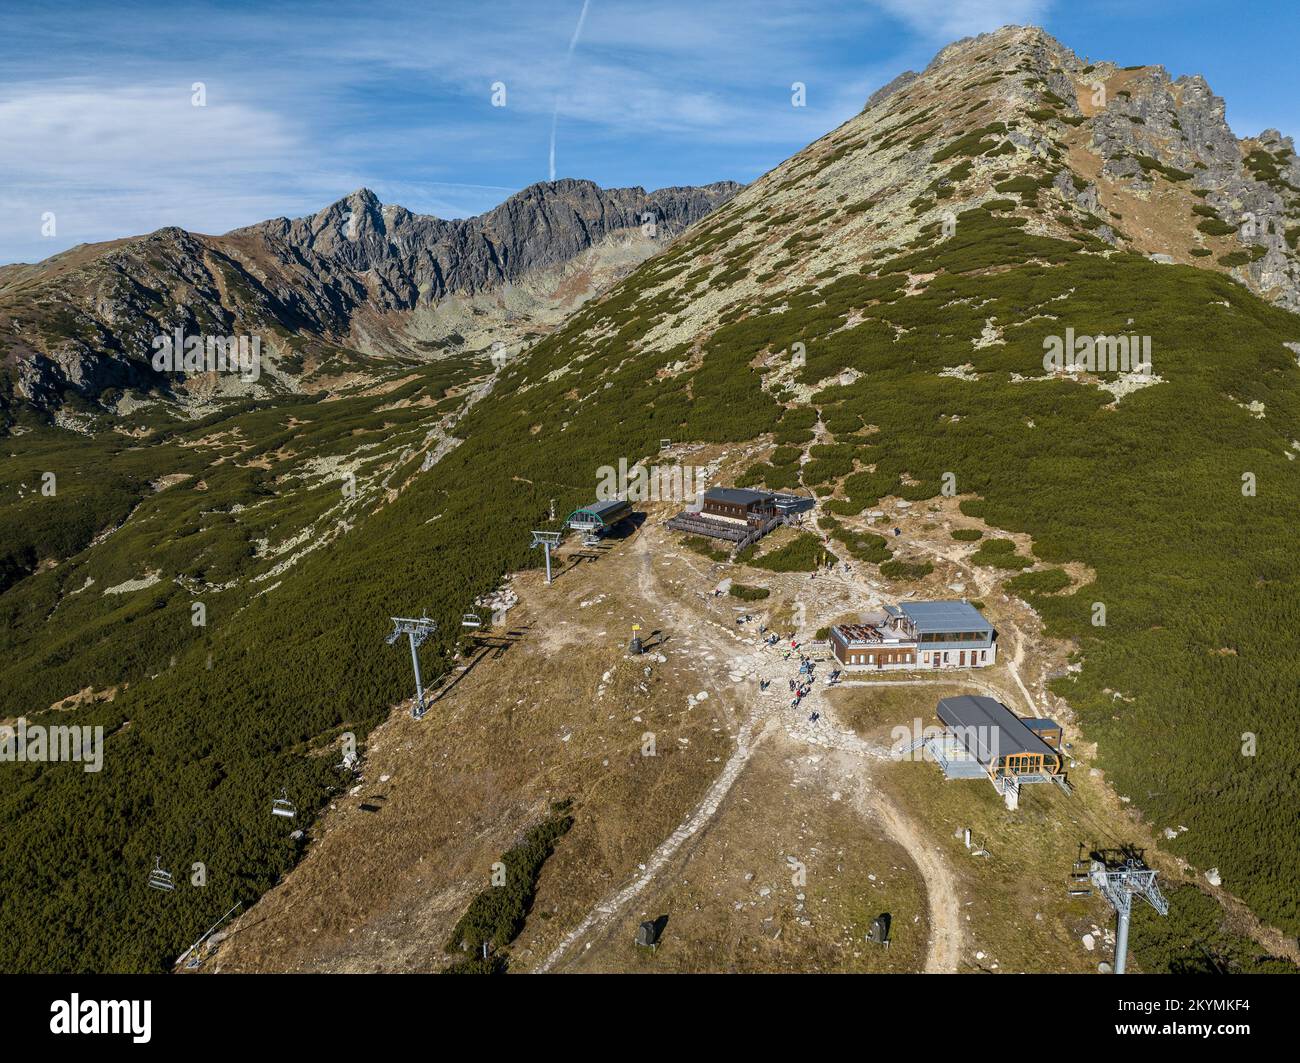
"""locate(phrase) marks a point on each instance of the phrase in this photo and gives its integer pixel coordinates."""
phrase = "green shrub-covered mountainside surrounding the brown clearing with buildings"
(1198, 580)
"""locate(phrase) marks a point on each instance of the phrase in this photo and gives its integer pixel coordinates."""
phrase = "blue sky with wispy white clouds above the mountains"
(307, 102)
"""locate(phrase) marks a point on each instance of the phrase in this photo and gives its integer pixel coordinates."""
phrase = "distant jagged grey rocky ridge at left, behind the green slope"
(358, 279)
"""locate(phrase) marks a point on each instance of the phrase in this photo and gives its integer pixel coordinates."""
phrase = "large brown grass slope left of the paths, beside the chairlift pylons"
(382, 890)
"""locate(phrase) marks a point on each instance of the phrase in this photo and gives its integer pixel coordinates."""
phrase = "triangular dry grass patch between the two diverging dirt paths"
(731, 900)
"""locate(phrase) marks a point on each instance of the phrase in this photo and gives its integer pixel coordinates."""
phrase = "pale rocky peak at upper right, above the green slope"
(1145, 160)
